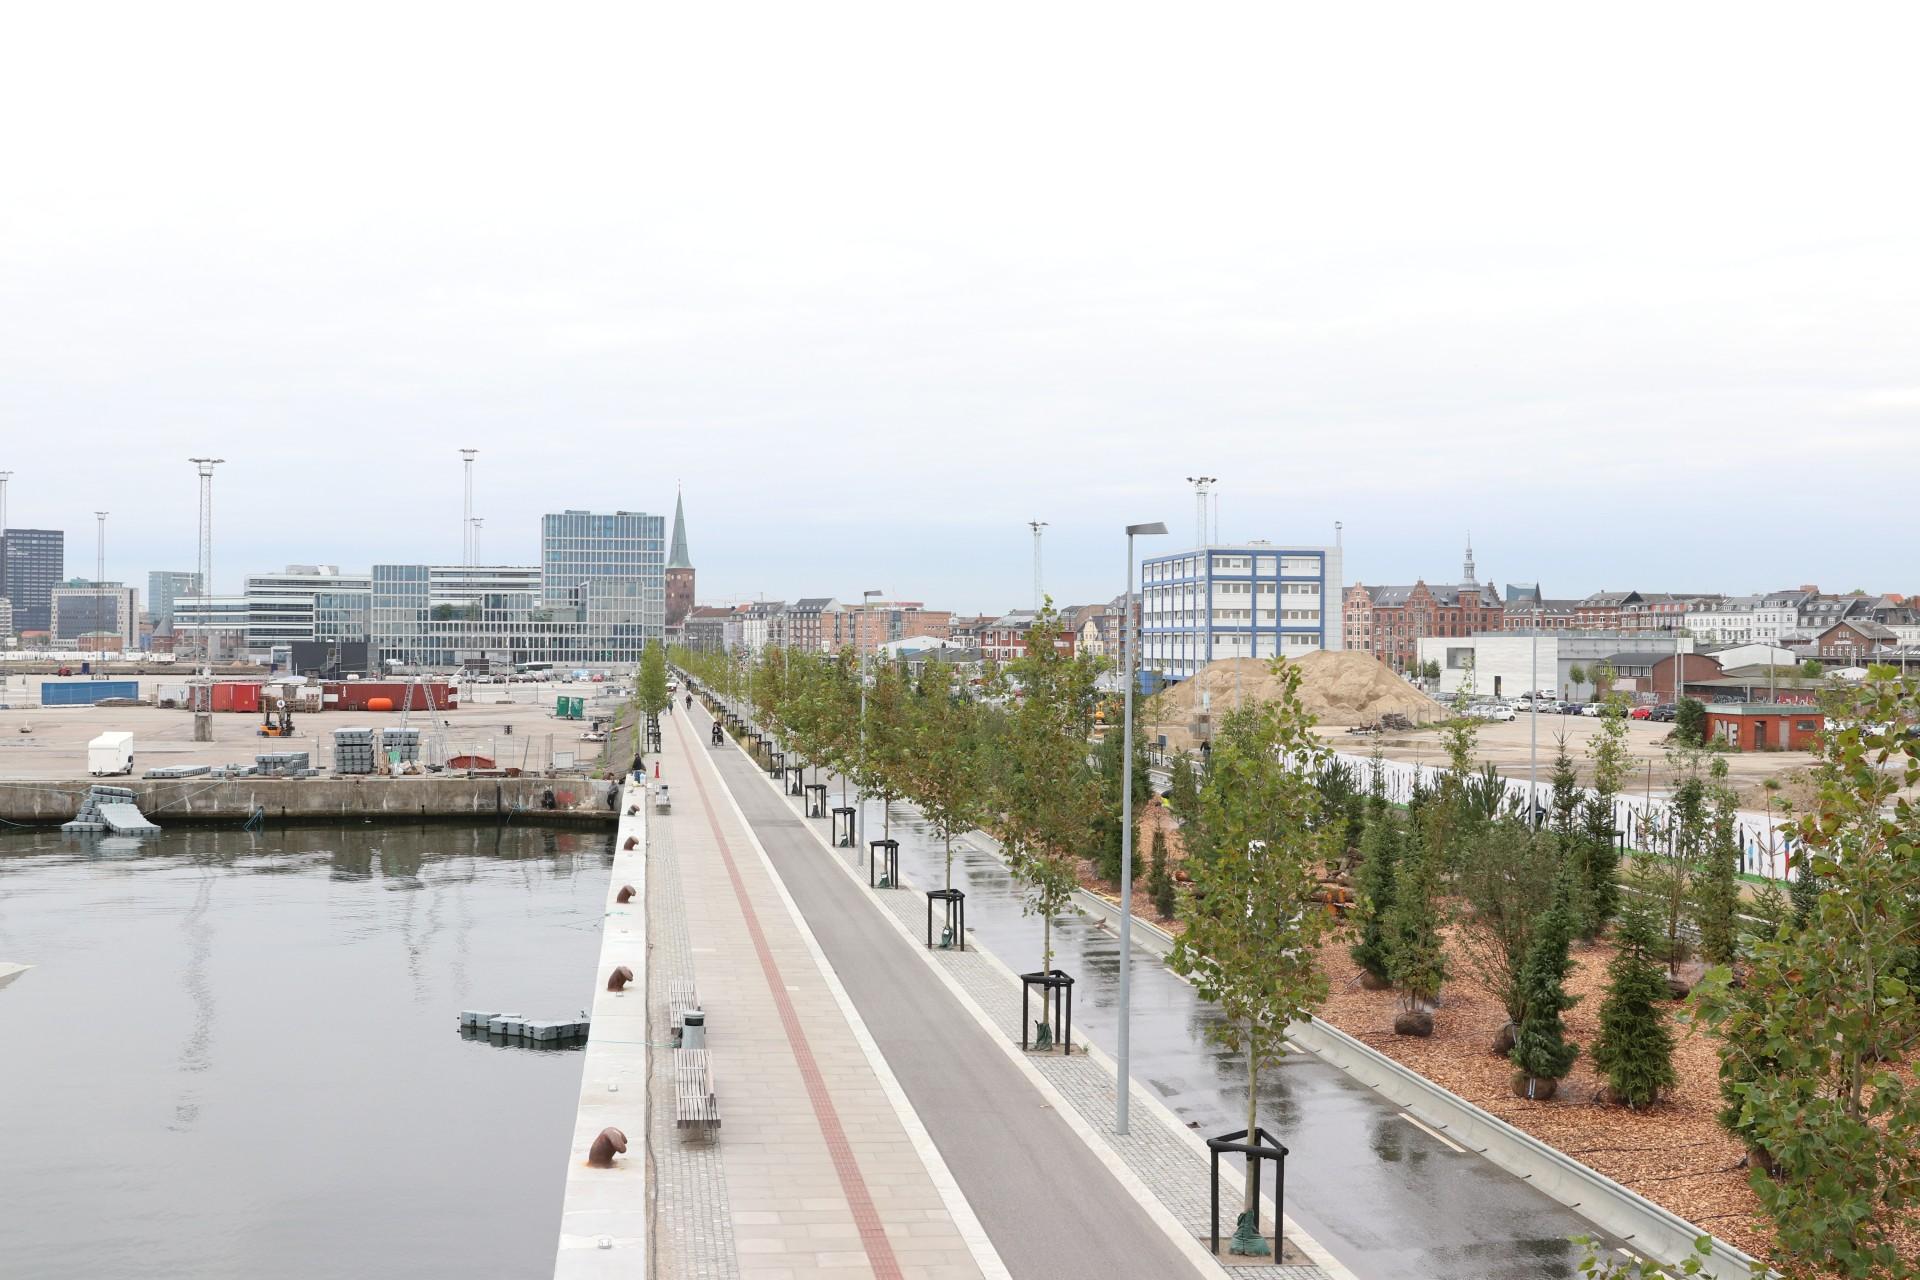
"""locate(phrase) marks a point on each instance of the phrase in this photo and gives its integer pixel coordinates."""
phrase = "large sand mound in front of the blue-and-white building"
(1339, 688)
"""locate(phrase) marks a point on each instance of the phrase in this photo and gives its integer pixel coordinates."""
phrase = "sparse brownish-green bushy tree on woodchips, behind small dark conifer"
(1506, 886)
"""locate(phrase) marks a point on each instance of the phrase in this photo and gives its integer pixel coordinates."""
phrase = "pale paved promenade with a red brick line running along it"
(823, 1168)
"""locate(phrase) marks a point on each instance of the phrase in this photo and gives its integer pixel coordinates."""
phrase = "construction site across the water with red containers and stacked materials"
(420, 747)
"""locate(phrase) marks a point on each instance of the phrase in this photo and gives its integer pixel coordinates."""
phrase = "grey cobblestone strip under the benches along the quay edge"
(694, 1227)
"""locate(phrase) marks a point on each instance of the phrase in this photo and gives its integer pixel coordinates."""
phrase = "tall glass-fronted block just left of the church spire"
(606, 571)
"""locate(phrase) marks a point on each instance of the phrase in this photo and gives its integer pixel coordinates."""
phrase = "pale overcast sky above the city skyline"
(1631, 295)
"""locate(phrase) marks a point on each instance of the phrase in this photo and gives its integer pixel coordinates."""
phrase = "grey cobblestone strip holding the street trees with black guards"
(1163, 1160)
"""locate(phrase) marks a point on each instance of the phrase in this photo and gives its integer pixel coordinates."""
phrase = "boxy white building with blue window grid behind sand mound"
(1245, 602)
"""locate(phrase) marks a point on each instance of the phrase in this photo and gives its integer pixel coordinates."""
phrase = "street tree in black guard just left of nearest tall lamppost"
(1045, 792)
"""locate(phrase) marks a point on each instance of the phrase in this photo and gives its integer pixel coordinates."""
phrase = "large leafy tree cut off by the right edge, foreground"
(1806, 1041)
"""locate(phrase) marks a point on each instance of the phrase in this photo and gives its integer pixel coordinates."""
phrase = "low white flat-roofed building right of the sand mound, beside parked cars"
(1504, 665)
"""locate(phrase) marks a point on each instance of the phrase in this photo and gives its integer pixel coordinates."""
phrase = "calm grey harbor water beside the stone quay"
(237, 1055)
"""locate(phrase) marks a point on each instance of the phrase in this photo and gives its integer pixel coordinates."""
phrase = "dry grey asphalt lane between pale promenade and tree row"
(1051, 1208)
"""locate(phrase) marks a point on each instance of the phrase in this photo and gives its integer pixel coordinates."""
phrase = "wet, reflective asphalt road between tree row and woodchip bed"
(1381, 1195)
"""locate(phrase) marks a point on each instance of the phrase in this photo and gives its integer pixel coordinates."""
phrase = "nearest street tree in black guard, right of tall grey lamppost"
(1253, 924)
